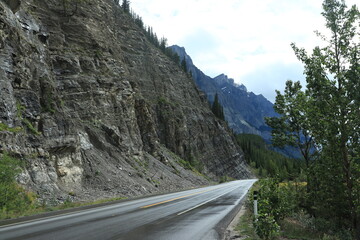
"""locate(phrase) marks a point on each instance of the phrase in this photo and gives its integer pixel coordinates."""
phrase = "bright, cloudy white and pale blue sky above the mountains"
(248, 40)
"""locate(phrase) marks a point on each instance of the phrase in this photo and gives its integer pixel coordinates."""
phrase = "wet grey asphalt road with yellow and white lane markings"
(193, 214)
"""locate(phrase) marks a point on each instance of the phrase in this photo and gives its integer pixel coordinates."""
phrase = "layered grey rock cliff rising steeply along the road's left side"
(93, 109)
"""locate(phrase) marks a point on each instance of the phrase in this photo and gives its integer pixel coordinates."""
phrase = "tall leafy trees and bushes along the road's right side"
(322, 121)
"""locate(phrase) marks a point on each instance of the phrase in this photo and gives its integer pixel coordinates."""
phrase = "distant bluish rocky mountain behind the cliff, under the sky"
(243, 110)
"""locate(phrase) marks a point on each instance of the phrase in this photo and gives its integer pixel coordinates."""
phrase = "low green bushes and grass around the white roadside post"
(280, 215)
